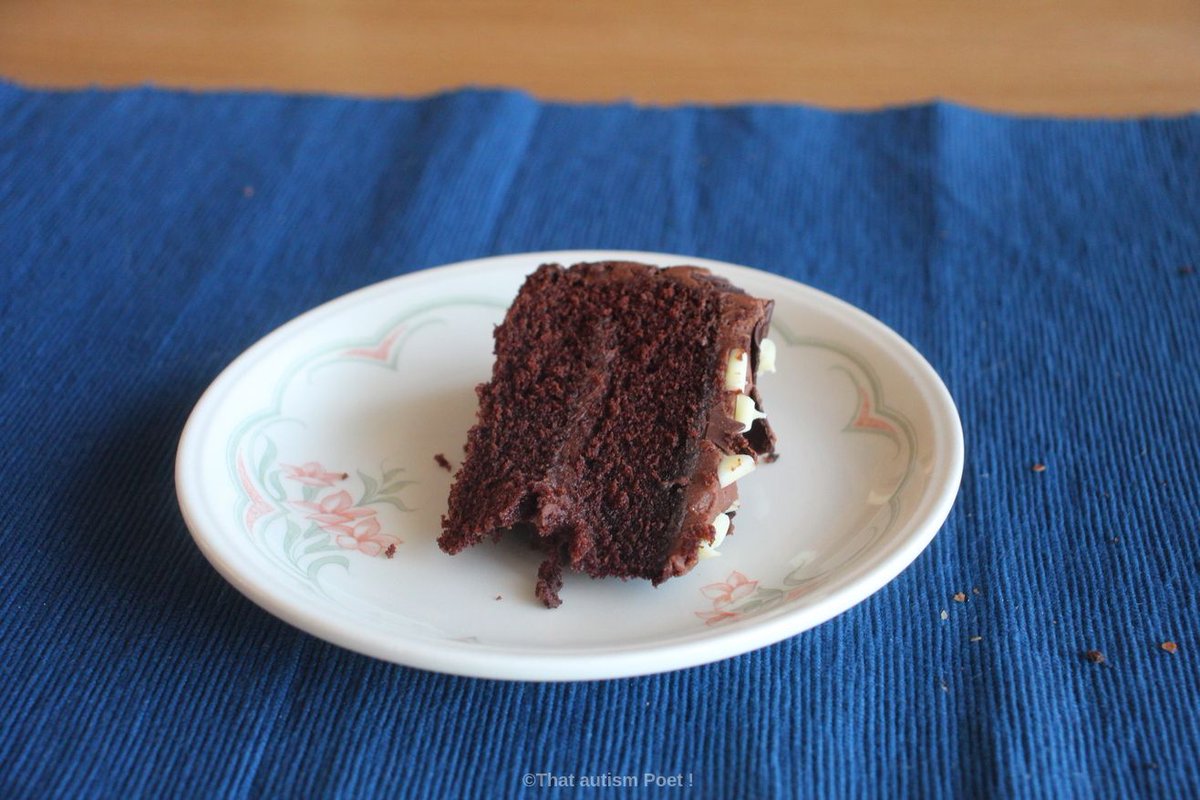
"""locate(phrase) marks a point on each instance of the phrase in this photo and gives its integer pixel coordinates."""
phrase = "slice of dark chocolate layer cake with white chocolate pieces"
(623, 407)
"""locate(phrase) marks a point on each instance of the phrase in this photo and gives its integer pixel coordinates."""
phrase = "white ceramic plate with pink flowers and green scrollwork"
(307, 474)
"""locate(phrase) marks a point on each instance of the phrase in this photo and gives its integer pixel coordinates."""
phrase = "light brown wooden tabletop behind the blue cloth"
(1055, 57)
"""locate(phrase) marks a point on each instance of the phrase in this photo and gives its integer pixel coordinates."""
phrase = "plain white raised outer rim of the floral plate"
(641, 659)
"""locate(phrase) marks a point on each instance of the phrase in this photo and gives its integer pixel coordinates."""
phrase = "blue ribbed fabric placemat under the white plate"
(1047, 269)
